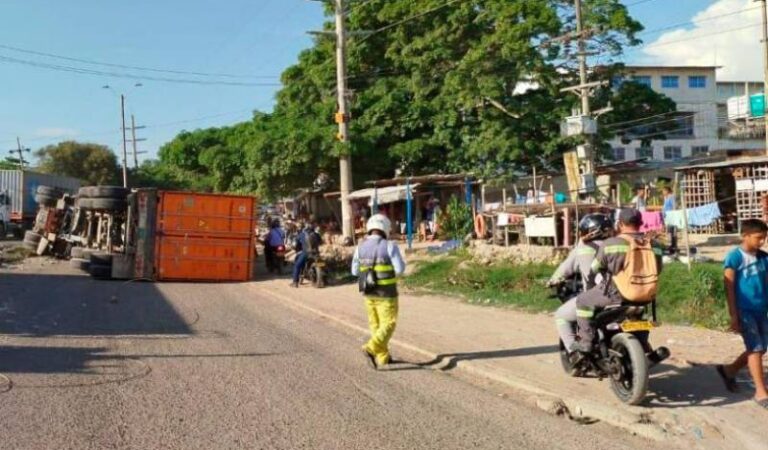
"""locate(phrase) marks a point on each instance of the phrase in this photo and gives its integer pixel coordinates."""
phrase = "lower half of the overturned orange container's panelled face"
(203, 259)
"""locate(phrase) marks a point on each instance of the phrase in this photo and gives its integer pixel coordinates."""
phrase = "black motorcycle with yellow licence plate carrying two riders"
(621, 350)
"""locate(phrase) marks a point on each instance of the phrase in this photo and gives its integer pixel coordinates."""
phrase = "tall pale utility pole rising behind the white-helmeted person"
(345, 162)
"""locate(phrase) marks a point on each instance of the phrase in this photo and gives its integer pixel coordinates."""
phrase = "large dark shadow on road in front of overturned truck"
(45, 305)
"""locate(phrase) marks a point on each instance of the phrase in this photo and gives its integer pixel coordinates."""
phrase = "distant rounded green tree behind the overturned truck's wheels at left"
(92, 163)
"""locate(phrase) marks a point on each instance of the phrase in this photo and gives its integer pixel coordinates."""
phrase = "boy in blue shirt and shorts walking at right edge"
(746, 286)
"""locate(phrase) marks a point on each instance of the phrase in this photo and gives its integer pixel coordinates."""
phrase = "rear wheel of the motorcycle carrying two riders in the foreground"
(630, 380)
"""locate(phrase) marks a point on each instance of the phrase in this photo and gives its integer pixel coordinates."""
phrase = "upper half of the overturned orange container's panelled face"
(193, 214)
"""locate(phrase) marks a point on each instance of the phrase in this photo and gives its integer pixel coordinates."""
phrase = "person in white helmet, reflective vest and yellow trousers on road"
(377, 263)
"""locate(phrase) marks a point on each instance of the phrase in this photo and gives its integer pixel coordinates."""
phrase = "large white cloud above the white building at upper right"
(707, 42)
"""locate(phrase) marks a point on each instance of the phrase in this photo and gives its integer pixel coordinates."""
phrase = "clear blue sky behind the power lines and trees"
(253, 37)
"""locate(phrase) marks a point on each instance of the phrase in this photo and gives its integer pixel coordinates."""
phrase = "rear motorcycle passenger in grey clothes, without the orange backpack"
(609, 261)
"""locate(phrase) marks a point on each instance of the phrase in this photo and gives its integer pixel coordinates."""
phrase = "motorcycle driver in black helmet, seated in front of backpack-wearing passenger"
(593, 229)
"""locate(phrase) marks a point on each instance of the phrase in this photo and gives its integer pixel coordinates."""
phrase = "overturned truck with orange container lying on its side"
(148, 234)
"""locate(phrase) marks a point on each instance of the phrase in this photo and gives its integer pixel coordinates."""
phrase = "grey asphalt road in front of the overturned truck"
(101, 365)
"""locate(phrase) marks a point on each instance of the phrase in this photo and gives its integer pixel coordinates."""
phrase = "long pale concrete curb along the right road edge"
(577, 408)
